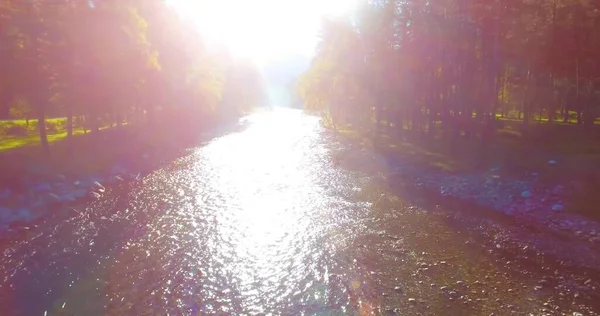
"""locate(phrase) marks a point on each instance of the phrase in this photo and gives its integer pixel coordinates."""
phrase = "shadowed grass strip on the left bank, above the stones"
(138, 147)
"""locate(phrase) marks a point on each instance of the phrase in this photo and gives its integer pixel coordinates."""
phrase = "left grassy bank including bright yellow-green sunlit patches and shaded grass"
(21, 156)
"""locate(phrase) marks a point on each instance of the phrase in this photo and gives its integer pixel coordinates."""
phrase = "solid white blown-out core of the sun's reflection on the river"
(267, 172)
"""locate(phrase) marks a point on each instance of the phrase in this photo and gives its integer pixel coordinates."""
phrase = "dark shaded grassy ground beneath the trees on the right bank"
(516, 154)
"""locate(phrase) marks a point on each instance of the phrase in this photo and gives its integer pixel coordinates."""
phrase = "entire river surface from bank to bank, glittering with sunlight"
(279, 218)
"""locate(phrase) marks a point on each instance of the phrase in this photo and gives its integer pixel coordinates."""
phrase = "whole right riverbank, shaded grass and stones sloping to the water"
(544, 191)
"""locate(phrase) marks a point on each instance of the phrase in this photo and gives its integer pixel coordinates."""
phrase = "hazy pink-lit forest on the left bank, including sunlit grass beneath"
(73, 69)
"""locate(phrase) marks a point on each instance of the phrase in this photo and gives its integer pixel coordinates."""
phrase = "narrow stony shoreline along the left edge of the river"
(40, 197)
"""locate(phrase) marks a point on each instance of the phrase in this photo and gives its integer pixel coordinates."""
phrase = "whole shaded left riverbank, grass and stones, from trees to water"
(36, 186)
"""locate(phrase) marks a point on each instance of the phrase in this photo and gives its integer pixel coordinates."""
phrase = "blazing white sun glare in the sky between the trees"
(261, 29)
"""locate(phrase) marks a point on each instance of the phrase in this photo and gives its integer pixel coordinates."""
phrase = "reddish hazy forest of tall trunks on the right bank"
(471, 73)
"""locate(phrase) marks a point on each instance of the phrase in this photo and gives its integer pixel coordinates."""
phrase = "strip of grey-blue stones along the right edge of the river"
(528, 199)
